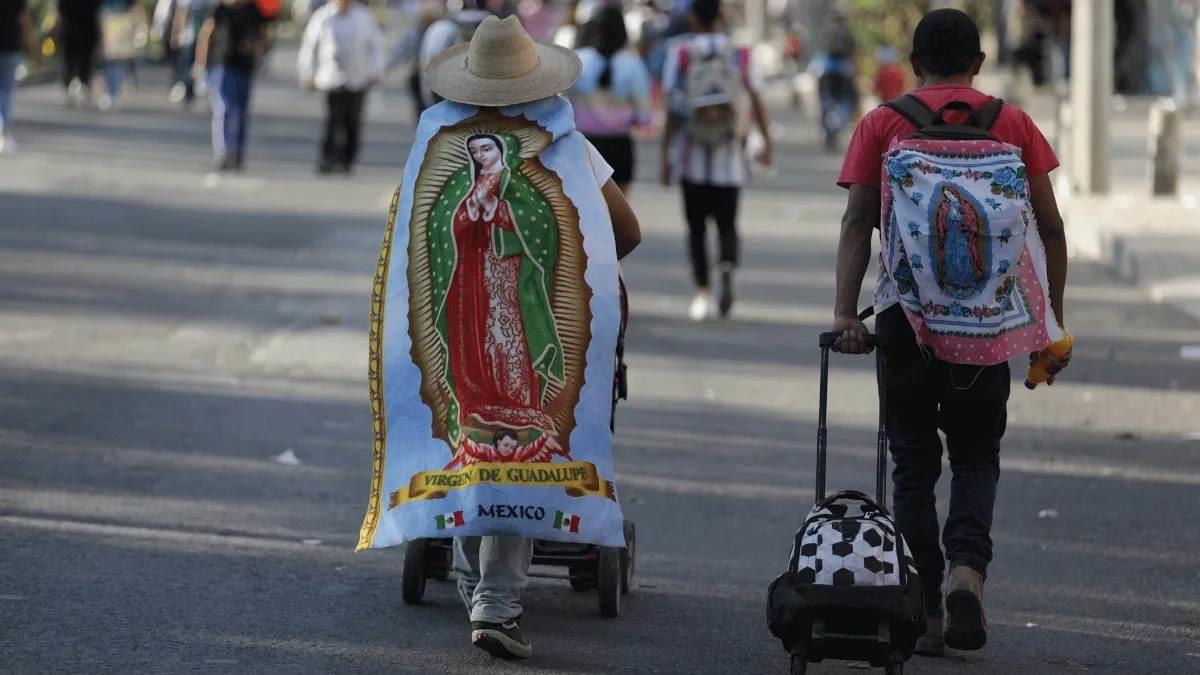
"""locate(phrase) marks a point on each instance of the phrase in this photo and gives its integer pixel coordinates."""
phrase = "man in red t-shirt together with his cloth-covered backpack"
(973, 273)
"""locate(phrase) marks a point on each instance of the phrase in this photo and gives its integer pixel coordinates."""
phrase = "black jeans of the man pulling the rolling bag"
(969, 404)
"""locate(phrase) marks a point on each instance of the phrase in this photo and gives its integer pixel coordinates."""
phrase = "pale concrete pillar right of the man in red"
(1091, 95)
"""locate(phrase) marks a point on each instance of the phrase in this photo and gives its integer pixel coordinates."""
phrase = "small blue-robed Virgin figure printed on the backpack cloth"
(958, 244)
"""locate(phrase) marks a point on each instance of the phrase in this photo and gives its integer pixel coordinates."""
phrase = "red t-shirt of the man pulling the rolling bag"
(883, 127)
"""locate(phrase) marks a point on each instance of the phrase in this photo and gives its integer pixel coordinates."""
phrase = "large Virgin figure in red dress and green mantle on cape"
(494, 244)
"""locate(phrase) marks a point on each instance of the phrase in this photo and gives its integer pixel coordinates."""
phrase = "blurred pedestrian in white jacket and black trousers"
(341, 56)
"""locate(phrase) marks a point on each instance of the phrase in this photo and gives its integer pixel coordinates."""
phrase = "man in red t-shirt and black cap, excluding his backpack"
(969, 404)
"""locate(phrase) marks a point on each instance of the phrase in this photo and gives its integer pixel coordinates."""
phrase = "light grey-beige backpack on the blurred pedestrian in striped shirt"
(716, 93)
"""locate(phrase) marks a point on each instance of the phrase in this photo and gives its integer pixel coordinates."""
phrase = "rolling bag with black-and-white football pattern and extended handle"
(851, 589)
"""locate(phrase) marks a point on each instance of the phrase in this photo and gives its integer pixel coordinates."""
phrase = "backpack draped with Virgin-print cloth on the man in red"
(959, 238)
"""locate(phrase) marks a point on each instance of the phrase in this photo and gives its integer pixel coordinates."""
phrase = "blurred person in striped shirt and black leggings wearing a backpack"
(713, 91)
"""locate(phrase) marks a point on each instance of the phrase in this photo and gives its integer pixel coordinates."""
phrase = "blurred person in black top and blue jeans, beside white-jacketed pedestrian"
(233, 39)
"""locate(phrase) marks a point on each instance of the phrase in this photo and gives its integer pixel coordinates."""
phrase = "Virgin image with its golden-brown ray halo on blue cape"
(496, 371)
